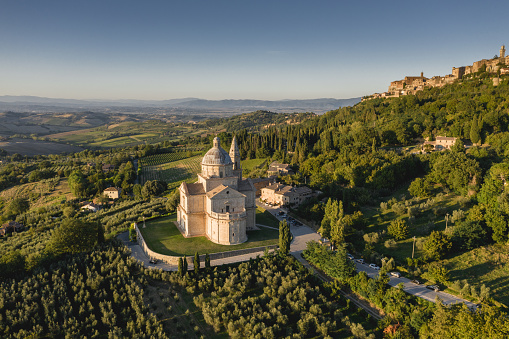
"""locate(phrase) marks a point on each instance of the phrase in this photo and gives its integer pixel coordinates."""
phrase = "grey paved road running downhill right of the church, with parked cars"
(303, 234)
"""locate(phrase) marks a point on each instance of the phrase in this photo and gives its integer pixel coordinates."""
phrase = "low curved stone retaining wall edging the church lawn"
(173, 260)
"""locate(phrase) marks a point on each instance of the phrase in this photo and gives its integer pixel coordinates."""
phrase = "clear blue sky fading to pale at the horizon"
(238, 49)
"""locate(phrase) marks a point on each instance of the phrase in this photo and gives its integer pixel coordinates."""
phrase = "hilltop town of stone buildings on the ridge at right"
(412, 84)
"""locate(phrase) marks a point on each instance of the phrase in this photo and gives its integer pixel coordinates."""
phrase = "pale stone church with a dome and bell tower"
(220, 205)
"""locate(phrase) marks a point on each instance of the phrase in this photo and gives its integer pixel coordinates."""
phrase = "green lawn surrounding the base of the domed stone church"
(162, 236)
